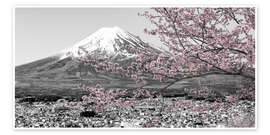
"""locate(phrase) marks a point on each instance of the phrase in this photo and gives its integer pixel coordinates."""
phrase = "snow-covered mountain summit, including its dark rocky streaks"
(110, 42)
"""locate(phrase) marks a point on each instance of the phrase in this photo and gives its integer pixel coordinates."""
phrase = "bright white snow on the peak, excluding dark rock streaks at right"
(103, 40)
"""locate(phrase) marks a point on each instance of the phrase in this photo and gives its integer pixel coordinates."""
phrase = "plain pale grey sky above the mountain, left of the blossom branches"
(42, 32)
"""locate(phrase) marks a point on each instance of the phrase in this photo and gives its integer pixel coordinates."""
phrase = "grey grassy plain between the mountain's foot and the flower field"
(67, 88)
